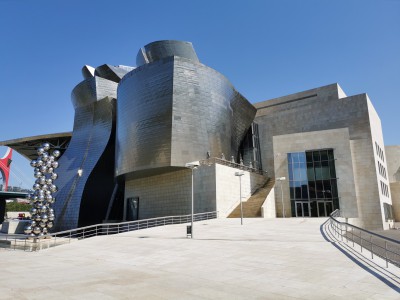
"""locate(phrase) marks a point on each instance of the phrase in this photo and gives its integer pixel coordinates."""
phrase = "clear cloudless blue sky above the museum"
(265, 48)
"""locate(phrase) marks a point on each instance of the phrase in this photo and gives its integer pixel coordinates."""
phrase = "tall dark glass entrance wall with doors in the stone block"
(313, 183)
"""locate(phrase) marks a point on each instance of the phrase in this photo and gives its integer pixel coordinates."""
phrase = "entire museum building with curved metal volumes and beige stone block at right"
(136, 128)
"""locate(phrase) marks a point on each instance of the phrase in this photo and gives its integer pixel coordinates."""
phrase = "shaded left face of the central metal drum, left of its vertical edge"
(144, 110)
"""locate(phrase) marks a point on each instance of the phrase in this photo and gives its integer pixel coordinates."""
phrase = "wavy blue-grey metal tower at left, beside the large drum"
(93, 128)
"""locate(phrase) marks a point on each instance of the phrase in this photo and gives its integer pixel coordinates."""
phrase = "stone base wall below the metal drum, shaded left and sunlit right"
(215, 188)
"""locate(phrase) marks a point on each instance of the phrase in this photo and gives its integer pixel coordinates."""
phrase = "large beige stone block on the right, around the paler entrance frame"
(321, 109)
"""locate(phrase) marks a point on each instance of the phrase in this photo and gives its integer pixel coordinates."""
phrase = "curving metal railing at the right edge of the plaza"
(379, 245)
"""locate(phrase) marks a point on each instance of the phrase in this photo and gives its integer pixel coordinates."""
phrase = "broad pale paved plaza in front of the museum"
(263, 259)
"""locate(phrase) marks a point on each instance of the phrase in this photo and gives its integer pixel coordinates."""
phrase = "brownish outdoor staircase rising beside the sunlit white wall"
(252, 207)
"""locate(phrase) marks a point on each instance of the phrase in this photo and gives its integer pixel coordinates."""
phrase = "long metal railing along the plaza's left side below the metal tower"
(23, 242)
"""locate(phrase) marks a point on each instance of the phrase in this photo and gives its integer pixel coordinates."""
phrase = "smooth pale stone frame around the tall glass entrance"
(338, 140)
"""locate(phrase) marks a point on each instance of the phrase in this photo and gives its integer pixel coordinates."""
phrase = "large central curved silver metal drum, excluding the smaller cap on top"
(174, 111)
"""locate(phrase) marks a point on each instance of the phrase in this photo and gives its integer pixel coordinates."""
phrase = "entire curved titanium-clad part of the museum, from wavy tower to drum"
(169, 110)
